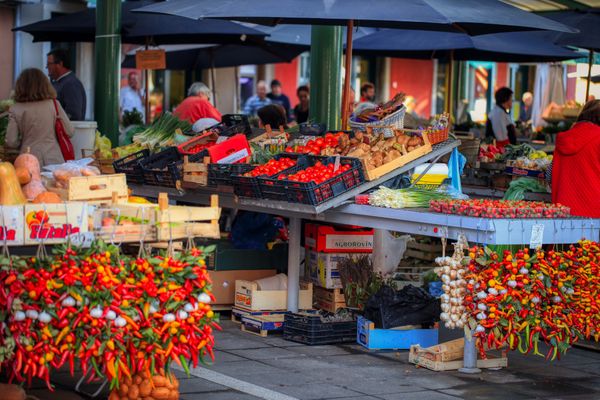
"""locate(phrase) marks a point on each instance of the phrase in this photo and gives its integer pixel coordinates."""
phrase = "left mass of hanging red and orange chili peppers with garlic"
(111, 314)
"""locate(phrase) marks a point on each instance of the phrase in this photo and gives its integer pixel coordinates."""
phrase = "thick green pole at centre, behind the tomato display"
(326, 75)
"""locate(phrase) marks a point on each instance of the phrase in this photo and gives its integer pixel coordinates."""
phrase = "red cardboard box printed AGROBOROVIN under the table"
(338, 239)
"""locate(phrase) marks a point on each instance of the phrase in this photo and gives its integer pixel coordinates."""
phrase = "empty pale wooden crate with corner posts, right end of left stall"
(181, 222)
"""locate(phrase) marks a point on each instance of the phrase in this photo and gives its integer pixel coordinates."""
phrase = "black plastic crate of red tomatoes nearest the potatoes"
(310, 192)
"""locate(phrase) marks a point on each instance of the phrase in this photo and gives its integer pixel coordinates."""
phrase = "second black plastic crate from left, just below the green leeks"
(166, 167)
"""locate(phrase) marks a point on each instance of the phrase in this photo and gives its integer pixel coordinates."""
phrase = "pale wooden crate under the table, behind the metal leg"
(247, 296)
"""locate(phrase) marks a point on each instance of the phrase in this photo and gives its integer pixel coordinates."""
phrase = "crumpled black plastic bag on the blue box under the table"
(389, 308)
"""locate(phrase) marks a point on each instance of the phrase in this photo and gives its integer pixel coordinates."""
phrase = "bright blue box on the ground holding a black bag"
(393, 339)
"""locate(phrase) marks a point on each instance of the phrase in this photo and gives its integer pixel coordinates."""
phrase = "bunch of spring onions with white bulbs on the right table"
(412, 197)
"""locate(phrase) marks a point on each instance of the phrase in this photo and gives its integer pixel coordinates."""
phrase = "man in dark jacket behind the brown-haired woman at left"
(69, 90)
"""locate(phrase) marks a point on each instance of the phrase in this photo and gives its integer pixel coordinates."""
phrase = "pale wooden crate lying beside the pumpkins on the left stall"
(96, 190)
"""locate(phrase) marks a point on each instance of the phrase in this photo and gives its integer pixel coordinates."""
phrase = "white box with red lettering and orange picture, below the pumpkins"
(53, 223)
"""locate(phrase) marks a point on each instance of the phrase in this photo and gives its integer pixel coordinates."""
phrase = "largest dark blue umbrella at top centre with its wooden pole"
(469, 16)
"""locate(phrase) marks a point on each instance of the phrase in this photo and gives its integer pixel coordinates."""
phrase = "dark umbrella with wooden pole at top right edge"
(588, 37)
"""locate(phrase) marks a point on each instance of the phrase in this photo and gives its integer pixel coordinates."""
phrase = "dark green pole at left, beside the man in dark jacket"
(108, 68)
